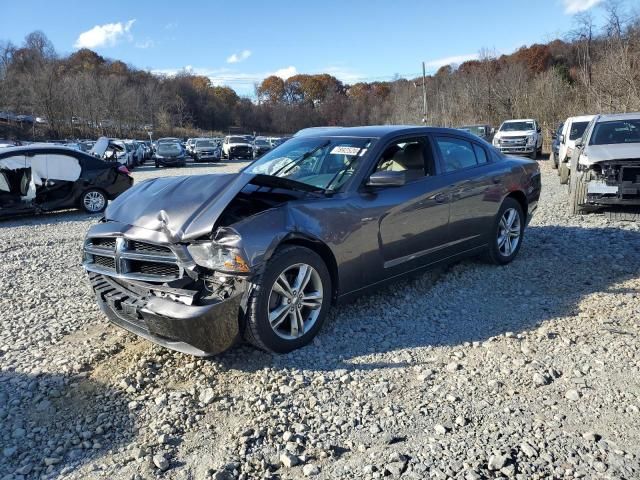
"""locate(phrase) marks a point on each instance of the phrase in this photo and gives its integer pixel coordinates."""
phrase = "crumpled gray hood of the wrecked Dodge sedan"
(183, 208)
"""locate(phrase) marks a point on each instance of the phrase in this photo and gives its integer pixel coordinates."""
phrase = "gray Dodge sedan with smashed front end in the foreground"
(196, 263)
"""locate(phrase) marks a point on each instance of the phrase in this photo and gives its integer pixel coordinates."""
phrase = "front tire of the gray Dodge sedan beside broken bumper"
(264, 301)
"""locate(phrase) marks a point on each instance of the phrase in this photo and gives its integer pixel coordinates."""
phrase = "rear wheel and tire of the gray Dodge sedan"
(503, 252)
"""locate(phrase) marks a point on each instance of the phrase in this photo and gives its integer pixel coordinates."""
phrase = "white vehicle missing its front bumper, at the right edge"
(605, 167)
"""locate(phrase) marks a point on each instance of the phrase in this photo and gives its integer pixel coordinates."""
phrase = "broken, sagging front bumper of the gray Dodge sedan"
(196, 330)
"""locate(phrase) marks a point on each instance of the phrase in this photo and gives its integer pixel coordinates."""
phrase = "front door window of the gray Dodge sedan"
(408, 156)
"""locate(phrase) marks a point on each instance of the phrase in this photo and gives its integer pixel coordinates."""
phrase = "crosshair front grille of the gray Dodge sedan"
(131, 259)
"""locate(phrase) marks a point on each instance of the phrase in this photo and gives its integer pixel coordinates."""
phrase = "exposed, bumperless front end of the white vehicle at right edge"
(613, 182)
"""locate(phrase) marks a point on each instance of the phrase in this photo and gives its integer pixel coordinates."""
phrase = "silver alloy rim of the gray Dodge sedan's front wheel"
(295, 301)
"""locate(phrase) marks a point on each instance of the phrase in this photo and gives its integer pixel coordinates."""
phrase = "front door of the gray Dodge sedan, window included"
(411, 220)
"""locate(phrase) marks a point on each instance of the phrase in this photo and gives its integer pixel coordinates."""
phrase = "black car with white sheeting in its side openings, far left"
(45, 178)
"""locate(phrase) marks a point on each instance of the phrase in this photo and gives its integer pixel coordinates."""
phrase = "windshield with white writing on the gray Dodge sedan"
(325, 163)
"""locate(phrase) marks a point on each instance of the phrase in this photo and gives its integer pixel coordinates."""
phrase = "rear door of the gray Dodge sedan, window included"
(475, 186)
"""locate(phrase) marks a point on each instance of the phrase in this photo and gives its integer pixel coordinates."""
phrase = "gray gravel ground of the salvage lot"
(472, 371)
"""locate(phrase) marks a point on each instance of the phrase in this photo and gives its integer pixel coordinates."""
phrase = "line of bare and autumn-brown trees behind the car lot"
(83, 94)
